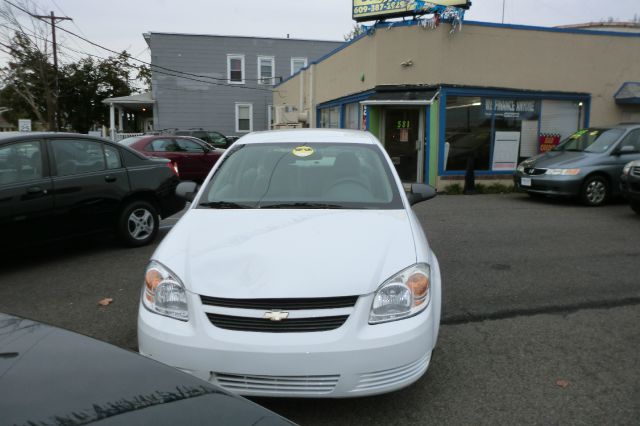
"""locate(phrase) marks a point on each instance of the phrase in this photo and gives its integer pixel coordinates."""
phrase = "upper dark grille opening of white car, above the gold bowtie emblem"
(282, 304)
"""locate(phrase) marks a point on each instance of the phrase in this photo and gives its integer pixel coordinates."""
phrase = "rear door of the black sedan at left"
(89, 184)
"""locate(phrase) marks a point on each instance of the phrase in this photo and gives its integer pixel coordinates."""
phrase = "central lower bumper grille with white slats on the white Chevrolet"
(301, 385)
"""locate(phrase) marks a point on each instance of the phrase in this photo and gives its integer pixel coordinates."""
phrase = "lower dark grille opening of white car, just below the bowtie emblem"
(289, 325)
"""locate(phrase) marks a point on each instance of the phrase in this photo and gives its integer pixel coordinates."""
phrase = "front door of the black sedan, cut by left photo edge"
(26, 199)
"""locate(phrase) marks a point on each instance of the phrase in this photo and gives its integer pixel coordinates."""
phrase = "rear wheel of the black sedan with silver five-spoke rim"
(138, 224)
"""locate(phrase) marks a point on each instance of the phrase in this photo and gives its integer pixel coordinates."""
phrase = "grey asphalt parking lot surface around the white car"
(540, 313)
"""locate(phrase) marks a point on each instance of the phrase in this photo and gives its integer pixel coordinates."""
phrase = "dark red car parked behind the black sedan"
(192, 157)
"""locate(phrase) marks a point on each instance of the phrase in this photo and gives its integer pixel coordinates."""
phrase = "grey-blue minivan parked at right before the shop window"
(586, 165)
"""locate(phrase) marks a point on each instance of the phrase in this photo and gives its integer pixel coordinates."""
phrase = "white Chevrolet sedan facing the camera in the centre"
(299, 270)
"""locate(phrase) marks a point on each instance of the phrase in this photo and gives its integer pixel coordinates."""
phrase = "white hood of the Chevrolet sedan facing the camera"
(287, 253)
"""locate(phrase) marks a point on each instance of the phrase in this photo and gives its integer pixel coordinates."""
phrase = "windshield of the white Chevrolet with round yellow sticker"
(320, 175)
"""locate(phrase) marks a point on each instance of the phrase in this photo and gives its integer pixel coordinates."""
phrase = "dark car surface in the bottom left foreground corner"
(53, 376)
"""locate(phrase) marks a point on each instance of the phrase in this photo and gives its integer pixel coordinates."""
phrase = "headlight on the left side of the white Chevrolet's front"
(163, 293)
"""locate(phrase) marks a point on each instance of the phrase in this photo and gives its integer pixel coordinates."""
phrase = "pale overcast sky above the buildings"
(119, 24)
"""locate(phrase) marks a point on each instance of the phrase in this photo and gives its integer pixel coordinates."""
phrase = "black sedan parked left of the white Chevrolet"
(54, 185)
